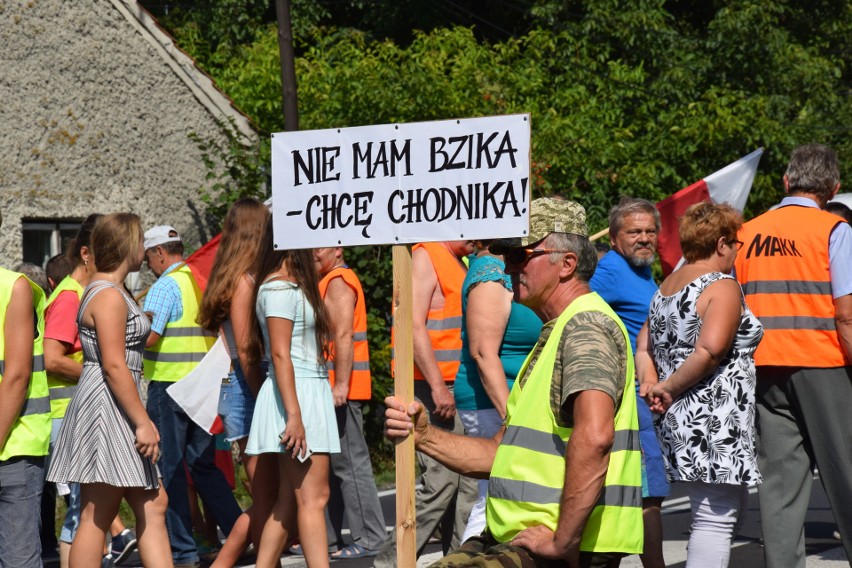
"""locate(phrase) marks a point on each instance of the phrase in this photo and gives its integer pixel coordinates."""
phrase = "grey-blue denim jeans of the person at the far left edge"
(20, 511)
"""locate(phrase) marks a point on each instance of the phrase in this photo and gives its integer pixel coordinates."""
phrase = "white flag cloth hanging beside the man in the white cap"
(198, 392)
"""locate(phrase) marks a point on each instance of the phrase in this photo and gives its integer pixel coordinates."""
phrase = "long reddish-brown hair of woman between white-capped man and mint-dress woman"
(242, 234)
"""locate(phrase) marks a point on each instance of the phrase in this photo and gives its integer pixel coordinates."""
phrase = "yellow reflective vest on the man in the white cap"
(184, 342)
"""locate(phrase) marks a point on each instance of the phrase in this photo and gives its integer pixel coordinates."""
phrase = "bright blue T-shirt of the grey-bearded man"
(627, 289)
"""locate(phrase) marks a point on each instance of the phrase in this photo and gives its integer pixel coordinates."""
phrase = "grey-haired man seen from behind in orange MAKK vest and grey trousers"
(795, 273)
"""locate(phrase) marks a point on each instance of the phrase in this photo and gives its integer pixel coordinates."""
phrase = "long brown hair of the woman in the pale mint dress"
(302, 268)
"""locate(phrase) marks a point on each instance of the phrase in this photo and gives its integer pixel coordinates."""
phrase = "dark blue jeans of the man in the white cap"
(183, 441)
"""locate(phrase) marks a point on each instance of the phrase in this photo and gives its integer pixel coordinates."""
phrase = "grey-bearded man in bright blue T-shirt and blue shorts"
(623, 279)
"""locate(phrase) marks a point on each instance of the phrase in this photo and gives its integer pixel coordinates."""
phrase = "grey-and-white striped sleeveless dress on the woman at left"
(97, 441)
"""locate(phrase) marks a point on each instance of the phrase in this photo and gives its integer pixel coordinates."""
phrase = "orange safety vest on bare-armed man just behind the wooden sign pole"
(444, 325)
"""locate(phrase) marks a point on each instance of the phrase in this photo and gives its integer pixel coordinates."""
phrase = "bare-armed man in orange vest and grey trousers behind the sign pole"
(437, 273)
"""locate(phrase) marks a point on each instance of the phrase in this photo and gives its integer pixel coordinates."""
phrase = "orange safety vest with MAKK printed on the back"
(783, 268)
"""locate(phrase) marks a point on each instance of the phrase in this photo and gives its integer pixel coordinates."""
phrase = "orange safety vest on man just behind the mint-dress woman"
(359, 382)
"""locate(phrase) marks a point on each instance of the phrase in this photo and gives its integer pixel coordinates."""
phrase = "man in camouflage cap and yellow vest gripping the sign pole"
(580, 500)
